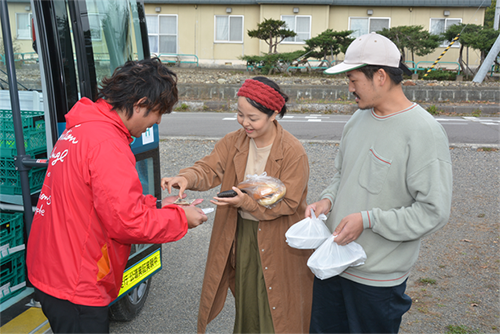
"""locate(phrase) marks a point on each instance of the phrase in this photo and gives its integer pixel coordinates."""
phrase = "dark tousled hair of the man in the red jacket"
(135, 80)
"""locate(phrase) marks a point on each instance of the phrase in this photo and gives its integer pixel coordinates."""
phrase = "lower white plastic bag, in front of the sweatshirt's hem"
(331, 259)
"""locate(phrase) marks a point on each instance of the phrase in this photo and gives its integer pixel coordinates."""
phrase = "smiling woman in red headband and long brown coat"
(248, 254)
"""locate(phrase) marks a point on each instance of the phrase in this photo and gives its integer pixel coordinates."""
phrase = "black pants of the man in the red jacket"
(68, 318)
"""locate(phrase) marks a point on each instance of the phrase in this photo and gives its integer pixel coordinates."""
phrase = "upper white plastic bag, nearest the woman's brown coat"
(309, 233)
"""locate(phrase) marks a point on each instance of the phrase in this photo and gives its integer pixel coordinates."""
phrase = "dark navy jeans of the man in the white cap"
(342, 306)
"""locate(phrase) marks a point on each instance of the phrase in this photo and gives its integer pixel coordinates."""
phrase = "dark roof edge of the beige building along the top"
(374, 3)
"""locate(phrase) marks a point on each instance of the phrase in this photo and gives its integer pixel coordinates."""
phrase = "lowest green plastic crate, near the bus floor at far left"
(12, 275)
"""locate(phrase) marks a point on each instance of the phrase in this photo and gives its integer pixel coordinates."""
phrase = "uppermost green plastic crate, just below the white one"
(33, 130)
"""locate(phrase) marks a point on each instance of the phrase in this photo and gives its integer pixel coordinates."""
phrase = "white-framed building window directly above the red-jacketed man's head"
(162, 33)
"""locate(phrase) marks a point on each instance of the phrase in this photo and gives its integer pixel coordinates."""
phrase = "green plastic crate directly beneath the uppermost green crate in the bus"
(10, 180)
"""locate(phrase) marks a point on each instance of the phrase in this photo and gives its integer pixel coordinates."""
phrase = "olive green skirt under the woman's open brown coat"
(253, 314)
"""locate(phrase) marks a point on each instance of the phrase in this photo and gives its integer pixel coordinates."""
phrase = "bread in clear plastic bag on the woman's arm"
(266, 190)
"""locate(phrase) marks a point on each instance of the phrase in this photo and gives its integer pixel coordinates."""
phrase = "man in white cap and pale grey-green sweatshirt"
(392, 187)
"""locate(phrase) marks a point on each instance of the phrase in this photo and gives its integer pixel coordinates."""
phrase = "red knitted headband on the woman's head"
(263, 94)
